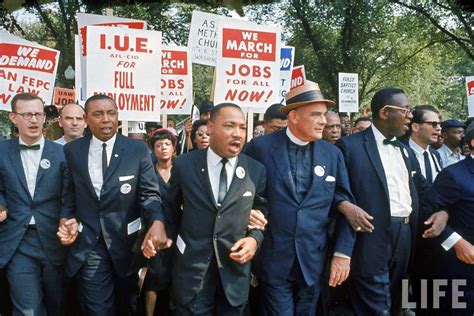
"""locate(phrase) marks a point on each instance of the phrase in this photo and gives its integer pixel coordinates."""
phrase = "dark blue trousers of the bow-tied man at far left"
(36, 285)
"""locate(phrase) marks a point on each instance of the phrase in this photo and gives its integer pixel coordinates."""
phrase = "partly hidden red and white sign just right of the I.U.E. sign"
(176, 81)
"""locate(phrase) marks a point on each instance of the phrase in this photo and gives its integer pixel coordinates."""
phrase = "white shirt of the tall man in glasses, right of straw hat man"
(396, 174)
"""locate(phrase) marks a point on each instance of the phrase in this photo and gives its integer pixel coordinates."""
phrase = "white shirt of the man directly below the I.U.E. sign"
(95, 161)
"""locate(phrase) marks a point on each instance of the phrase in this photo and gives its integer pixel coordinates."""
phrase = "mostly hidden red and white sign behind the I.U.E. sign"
(84, 20)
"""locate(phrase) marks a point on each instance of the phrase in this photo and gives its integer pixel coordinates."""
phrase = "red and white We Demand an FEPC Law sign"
(25, 67)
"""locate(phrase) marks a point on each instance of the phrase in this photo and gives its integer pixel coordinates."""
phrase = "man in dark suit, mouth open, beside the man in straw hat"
(217, 188)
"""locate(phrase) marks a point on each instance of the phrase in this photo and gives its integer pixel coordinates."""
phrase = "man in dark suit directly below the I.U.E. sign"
(113, 192)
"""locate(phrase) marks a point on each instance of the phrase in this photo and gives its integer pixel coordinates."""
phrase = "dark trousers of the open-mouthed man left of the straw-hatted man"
(211, 299)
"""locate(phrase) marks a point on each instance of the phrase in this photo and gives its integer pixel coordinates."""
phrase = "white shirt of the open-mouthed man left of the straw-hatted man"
(214, 166)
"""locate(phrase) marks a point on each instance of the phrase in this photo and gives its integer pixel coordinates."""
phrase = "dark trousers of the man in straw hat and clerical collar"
(293, 297)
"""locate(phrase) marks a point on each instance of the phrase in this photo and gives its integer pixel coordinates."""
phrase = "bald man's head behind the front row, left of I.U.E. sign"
(71, 119)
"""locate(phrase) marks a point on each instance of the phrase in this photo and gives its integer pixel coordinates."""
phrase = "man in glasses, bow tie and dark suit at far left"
(33, 176)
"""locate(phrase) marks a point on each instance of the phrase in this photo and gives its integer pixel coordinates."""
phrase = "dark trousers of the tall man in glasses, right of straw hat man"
(381, 294)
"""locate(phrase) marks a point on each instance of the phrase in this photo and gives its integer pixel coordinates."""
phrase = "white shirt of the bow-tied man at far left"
(30, 160)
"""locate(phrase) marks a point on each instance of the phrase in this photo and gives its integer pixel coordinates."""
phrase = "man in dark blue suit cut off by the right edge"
(454, 191)
